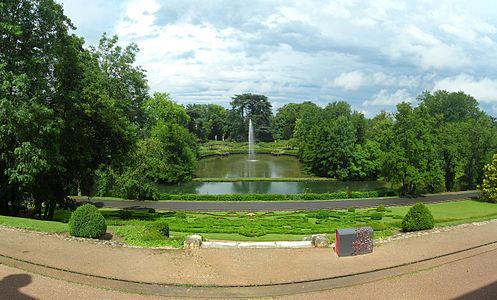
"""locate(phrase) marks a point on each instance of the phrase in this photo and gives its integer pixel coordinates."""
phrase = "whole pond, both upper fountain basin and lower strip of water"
(267, 166)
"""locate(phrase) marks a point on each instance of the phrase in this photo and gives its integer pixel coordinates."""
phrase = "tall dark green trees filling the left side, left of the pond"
(70, 116)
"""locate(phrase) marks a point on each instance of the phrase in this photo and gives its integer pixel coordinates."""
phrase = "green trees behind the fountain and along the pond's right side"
(441, 144)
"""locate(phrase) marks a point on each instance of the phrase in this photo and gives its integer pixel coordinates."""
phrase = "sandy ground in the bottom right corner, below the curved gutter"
(471, 278)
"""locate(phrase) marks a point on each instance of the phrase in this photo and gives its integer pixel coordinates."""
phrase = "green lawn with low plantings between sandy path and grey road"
(130, 225)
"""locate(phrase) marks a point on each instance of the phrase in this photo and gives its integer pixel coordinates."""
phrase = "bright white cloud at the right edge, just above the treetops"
(484, 89)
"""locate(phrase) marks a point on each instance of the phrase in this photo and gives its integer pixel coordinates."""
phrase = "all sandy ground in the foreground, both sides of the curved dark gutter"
(473, 276)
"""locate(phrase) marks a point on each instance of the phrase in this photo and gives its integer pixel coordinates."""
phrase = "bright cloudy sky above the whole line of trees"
(372, 54)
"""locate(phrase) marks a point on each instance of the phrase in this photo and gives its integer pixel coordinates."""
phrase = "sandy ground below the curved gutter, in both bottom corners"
(471, 278)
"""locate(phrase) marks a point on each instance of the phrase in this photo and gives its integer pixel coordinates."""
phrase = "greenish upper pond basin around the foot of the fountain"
(237, 165)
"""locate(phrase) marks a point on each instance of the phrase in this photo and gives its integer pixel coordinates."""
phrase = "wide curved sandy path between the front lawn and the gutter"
(229, 266)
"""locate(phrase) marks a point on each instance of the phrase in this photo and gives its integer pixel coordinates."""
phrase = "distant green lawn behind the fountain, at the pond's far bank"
(219, 147)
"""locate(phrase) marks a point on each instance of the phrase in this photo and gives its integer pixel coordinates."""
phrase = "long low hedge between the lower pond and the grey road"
(273, 197)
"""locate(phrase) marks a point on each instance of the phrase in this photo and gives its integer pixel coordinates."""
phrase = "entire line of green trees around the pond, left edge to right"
(76, 119)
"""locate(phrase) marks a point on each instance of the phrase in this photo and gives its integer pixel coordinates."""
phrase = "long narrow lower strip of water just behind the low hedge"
(270, 187)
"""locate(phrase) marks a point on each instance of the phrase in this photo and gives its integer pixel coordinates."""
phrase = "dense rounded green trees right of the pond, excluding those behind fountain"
(441, 144)
